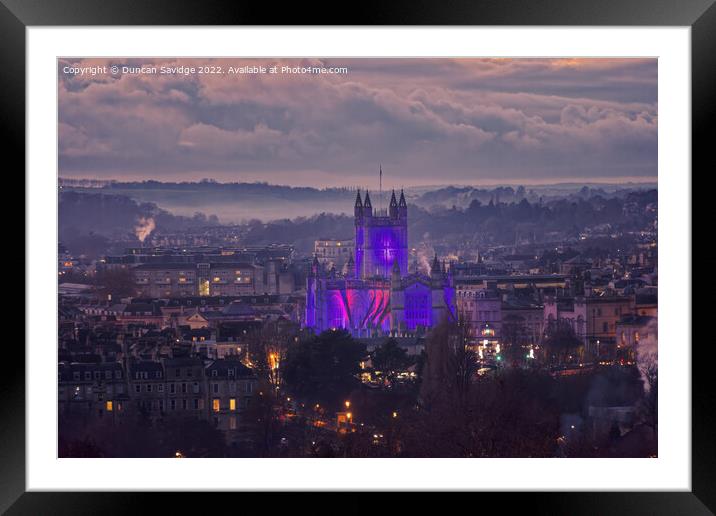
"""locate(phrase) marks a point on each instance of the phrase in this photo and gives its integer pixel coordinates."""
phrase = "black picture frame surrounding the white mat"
(700, 15)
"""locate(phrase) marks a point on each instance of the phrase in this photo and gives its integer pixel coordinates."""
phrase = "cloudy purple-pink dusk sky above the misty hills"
(427, 121)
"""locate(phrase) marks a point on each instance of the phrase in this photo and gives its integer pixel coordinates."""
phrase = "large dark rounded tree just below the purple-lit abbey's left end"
(325, 368)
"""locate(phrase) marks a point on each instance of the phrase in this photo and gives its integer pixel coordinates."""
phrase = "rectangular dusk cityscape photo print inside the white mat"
(363, 258)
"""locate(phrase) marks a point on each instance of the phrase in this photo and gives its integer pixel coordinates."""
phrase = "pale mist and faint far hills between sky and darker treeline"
(242, 202)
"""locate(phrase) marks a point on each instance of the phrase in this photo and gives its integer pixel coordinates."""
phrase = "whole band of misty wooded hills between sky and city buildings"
(92, 220)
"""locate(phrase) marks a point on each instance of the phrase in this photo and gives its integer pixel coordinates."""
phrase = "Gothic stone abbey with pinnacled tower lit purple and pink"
(376, 294)
